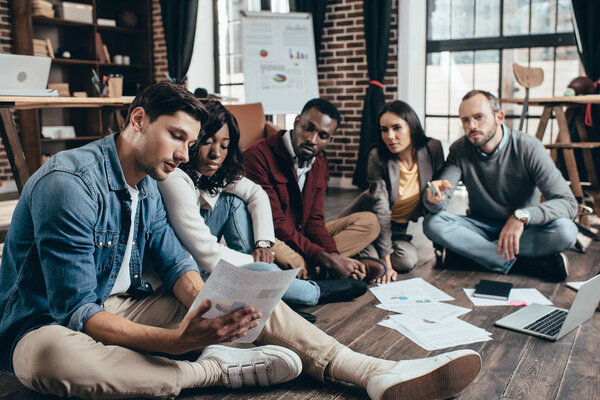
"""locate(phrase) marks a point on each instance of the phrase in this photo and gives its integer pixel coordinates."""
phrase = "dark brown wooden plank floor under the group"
(515, 366)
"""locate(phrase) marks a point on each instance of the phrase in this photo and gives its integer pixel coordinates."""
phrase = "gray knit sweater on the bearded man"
(510, 178)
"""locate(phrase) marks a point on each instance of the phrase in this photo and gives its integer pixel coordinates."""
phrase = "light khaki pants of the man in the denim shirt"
(59, 361)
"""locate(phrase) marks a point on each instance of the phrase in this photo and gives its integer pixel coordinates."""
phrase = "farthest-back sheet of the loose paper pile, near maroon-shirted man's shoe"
(409, 290)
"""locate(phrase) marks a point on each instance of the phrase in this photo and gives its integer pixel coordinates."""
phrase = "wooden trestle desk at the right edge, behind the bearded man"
(564, 108)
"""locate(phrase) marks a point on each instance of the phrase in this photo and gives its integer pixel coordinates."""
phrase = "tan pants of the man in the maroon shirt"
(351, 234)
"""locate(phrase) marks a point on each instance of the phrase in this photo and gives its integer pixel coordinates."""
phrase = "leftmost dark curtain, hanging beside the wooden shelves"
(179, 24)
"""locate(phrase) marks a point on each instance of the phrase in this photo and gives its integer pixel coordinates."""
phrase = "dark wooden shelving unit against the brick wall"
(80, 40)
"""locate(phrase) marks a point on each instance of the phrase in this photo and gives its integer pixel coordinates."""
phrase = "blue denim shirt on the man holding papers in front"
(67, 238)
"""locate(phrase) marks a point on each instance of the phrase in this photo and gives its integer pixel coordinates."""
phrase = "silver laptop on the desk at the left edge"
(24, 75)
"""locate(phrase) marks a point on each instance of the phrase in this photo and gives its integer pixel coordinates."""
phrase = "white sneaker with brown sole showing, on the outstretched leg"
(439, 377)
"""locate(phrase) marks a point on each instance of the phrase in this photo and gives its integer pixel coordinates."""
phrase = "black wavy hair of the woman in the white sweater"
(231, 170)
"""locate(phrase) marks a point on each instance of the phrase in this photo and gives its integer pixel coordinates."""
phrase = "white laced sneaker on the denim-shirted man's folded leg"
(257, 366)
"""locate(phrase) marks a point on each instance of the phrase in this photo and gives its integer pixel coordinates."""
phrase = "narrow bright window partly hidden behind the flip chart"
(229, 75)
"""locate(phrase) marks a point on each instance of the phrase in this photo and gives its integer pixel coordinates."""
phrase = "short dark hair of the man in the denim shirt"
(166, 98)
